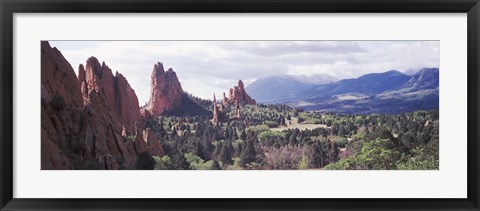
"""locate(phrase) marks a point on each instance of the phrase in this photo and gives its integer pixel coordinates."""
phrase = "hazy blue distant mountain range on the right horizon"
(388, 92)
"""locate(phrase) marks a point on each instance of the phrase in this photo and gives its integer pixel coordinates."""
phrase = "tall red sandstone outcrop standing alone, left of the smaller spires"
(166, 91)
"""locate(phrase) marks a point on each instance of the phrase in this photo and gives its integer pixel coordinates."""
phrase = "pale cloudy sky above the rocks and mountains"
(207, 67)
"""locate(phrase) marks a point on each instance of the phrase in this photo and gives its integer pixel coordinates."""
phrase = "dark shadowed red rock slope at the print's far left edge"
(59, 90)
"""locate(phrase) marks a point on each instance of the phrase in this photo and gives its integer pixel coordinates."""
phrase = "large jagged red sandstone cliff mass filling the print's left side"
(82, 119)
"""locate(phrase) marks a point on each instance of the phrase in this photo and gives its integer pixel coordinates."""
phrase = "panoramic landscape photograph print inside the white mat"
(240, 105)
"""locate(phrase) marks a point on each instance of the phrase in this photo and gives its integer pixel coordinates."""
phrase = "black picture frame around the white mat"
(10, 7)
